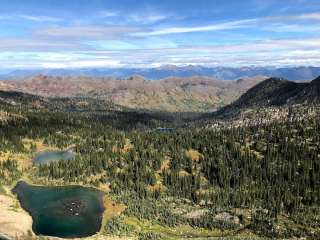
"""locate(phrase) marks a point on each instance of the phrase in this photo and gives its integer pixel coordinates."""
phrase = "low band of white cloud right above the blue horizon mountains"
(277, 52)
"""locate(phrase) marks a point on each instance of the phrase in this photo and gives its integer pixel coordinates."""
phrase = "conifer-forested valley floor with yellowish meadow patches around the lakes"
(254, 180)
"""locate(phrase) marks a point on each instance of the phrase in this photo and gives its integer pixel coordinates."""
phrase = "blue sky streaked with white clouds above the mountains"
(153, 33)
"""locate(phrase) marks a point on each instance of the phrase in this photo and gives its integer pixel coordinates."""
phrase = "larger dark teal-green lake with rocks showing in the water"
(66, 211)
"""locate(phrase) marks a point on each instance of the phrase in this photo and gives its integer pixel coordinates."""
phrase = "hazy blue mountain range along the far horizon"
(223, 73)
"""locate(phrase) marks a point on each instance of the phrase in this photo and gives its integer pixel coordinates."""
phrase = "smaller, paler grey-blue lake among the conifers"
(52, 156)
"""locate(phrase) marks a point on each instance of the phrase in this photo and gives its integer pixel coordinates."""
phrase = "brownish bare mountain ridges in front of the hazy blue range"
(196, 94)
